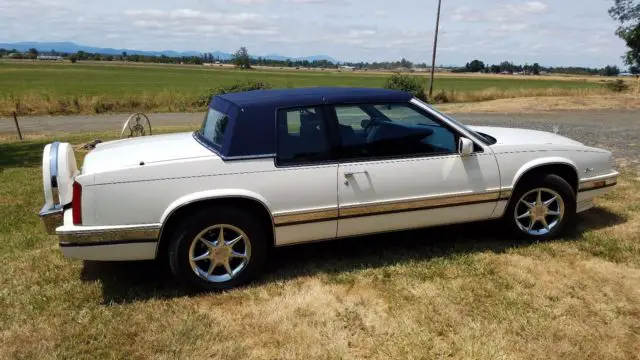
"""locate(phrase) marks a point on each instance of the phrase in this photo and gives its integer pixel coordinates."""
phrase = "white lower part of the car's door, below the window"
(406, 180)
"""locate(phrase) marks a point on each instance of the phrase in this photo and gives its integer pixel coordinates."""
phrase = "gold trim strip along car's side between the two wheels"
(380, 208)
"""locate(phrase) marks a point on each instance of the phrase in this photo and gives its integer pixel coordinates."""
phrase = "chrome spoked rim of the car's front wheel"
(539, 211)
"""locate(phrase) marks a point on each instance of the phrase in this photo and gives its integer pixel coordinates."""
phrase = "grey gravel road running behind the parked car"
(618, 131)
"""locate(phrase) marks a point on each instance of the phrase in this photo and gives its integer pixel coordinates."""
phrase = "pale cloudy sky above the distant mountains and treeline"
(559, 32)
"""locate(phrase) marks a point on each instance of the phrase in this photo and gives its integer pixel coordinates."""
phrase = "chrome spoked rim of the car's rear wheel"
(219, 253)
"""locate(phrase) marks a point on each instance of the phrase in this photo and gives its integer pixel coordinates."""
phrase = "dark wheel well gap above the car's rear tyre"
(254, 207)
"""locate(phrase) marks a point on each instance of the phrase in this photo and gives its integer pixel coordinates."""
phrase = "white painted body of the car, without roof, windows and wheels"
(135, 185)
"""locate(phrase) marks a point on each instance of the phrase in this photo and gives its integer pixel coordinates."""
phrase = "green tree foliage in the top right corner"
(627, 13)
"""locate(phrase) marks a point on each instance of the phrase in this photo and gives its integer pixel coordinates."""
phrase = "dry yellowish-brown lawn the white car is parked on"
(457, 292)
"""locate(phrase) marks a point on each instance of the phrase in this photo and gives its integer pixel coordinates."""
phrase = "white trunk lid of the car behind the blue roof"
(148, 150)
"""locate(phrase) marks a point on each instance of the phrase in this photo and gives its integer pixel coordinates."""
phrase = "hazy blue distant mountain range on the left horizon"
(69, 47)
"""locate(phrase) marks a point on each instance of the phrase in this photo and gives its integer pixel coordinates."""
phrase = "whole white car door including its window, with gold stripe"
(400, 168)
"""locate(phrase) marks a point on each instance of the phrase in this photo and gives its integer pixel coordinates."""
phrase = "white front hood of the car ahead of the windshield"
(513, 136)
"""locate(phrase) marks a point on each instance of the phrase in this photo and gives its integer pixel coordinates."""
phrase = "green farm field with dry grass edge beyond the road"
(65, 88)
